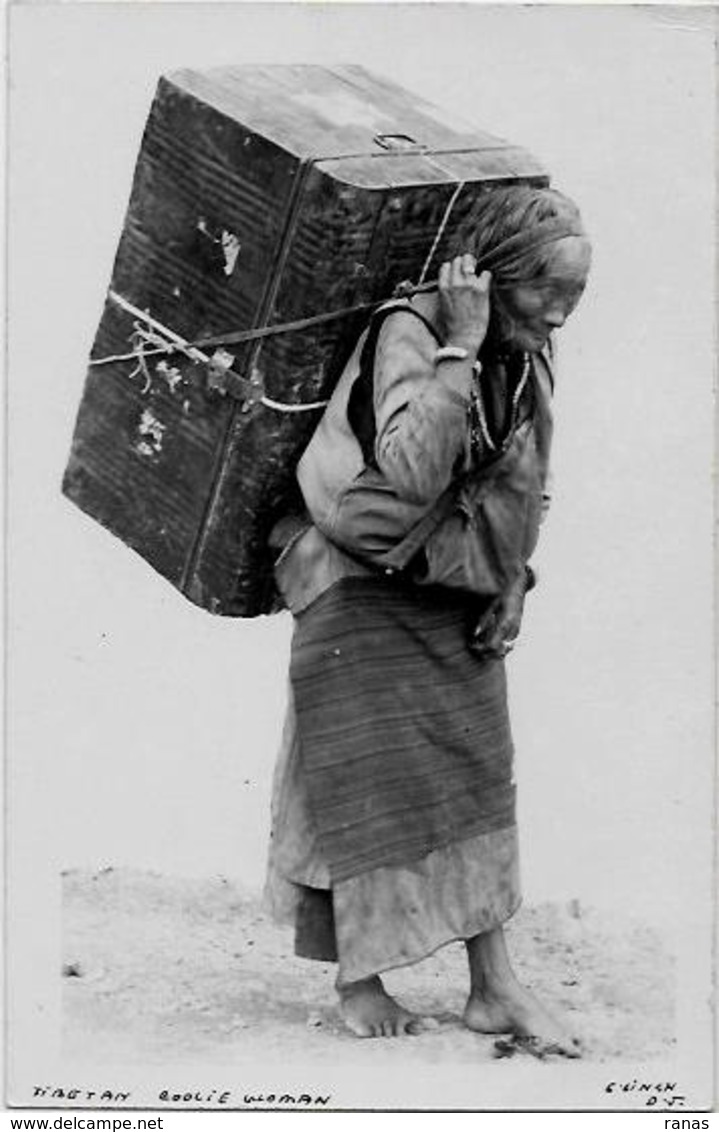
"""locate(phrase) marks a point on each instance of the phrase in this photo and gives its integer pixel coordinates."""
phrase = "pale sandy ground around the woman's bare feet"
(162, 971)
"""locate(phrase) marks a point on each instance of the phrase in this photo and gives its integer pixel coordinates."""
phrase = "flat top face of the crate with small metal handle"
(356, 122)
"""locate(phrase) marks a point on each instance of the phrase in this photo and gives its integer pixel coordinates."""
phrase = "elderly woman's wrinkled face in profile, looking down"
(528, 313)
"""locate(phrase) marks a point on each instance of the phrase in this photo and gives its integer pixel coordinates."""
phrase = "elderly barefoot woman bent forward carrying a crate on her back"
(425, 484)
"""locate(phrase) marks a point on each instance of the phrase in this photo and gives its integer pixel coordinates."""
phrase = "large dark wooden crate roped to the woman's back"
(261, 195)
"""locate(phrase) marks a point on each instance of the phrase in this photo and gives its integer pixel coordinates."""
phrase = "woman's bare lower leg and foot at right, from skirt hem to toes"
(500, 1005)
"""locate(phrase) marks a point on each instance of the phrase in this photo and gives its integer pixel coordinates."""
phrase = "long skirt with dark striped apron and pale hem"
(393, 827)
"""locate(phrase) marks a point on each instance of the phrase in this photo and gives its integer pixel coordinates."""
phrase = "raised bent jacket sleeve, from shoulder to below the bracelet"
(421, 411)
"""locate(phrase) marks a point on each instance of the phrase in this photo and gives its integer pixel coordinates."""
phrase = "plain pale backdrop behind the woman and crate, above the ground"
(143, 731)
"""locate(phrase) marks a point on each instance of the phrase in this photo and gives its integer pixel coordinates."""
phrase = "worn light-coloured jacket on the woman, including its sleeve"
(362, 509)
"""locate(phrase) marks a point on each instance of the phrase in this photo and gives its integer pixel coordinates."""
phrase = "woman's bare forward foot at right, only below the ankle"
(518, 1011)
